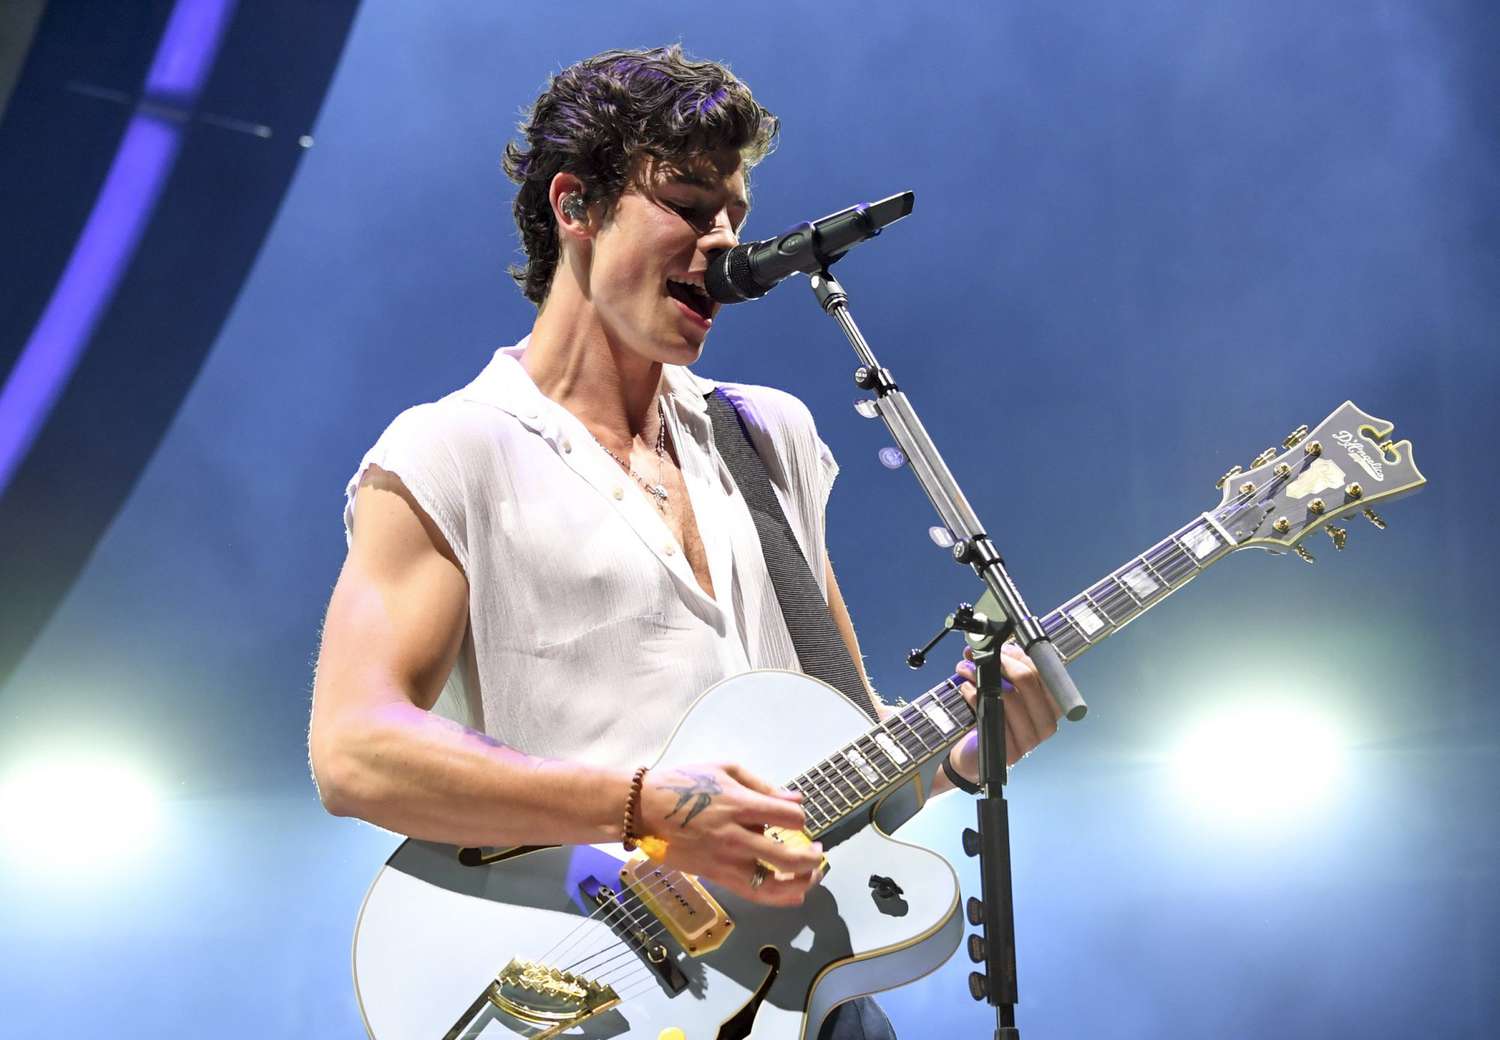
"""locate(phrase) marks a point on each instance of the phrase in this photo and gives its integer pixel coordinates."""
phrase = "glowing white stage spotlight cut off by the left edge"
(74, 810)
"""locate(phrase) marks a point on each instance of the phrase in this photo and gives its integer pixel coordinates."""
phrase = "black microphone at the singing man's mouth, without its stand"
(754, 269)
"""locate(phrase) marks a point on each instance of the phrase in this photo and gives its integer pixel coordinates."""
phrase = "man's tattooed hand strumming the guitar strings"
(715, 820)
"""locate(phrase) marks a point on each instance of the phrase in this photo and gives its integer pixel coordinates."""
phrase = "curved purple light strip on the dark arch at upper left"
(110, 236)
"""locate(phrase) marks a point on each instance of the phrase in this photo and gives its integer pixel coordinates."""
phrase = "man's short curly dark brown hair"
(599, 118)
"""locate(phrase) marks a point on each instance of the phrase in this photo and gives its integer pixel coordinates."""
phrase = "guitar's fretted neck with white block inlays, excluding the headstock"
(890, 754)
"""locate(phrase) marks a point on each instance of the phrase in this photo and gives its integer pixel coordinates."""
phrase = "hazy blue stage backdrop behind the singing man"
(1150, 241)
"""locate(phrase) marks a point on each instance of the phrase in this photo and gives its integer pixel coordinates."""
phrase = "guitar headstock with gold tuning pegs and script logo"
(1345, 466)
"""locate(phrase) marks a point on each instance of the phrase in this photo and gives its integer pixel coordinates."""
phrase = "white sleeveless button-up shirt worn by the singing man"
(589, 634)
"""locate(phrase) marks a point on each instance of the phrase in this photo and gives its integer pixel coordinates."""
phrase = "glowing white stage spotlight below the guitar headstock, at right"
(1259, 760)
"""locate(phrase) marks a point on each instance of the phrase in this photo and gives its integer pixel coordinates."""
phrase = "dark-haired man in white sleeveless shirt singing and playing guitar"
(550, 565)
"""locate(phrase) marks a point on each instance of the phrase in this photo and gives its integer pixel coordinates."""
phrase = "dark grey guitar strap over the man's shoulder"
(815, 637)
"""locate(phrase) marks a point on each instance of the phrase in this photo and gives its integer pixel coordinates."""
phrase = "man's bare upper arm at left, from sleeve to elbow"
(398, 613)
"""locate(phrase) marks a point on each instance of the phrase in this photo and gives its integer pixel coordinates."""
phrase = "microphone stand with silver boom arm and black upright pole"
(997, 949)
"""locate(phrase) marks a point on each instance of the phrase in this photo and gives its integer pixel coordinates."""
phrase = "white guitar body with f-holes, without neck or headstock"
(434, 934)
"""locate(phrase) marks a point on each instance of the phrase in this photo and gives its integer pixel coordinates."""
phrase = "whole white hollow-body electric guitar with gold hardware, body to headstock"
(590, 942)
